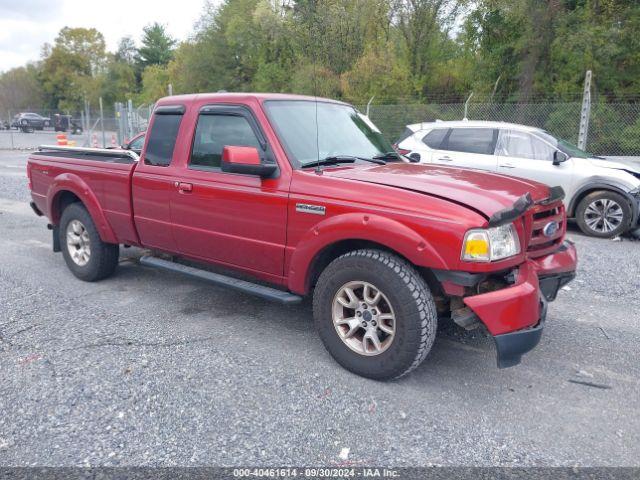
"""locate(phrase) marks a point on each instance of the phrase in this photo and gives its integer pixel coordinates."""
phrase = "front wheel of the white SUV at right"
(617, 214)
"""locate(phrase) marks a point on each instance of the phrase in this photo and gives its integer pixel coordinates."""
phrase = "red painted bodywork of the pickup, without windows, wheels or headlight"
(253, 225)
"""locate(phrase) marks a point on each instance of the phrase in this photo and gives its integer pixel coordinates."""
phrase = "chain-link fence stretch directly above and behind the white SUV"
(614, 128)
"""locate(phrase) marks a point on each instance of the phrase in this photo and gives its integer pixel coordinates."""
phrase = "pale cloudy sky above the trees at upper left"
(25, 25)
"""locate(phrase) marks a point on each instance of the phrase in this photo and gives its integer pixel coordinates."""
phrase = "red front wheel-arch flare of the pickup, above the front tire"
(359, 226)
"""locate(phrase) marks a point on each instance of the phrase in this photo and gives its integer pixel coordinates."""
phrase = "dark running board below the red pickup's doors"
(261, 291)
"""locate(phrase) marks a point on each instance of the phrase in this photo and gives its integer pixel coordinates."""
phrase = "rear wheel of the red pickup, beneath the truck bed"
(101, 259)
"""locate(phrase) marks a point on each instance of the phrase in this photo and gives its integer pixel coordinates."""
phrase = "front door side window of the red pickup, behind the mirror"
(214, 132)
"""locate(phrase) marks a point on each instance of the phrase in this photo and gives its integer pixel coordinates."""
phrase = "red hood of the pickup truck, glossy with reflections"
(482, 191)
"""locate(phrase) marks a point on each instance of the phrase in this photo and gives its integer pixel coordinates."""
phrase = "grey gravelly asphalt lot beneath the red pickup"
(149, 368)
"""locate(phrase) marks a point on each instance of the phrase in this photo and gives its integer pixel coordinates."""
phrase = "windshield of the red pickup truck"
(341, 132)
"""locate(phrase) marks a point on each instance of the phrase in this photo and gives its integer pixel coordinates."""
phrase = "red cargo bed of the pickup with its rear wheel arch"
(100, 177)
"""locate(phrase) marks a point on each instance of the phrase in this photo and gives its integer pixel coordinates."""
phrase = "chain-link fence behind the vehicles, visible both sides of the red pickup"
(614, 128)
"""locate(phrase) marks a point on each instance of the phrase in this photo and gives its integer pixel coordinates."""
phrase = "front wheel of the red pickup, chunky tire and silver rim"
(404, 295)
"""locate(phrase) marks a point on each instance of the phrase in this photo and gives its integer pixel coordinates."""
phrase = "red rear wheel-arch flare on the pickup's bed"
(70, 182)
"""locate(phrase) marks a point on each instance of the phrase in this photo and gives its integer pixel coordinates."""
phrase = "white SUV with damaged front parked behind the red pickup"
(603, 196)
